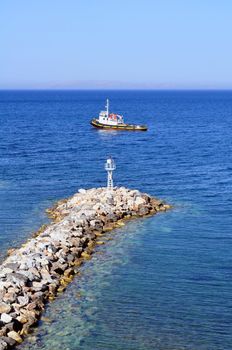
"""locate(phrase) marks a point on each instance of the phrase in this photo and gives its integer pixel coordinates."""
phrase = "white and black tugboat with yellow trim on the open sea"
(111, 121)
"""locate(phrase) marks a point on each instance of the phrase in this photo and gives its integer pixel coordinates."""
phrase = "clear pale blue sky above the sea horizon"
(116, 44)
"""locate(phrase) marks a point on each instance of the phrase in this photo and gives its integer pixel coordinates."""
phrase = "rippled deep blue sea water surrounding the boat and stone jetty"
(161, 283)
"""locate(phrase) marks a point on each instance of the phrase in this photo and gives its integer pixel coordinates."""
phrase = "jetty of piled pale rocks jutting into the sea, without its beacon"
(39, 270)
